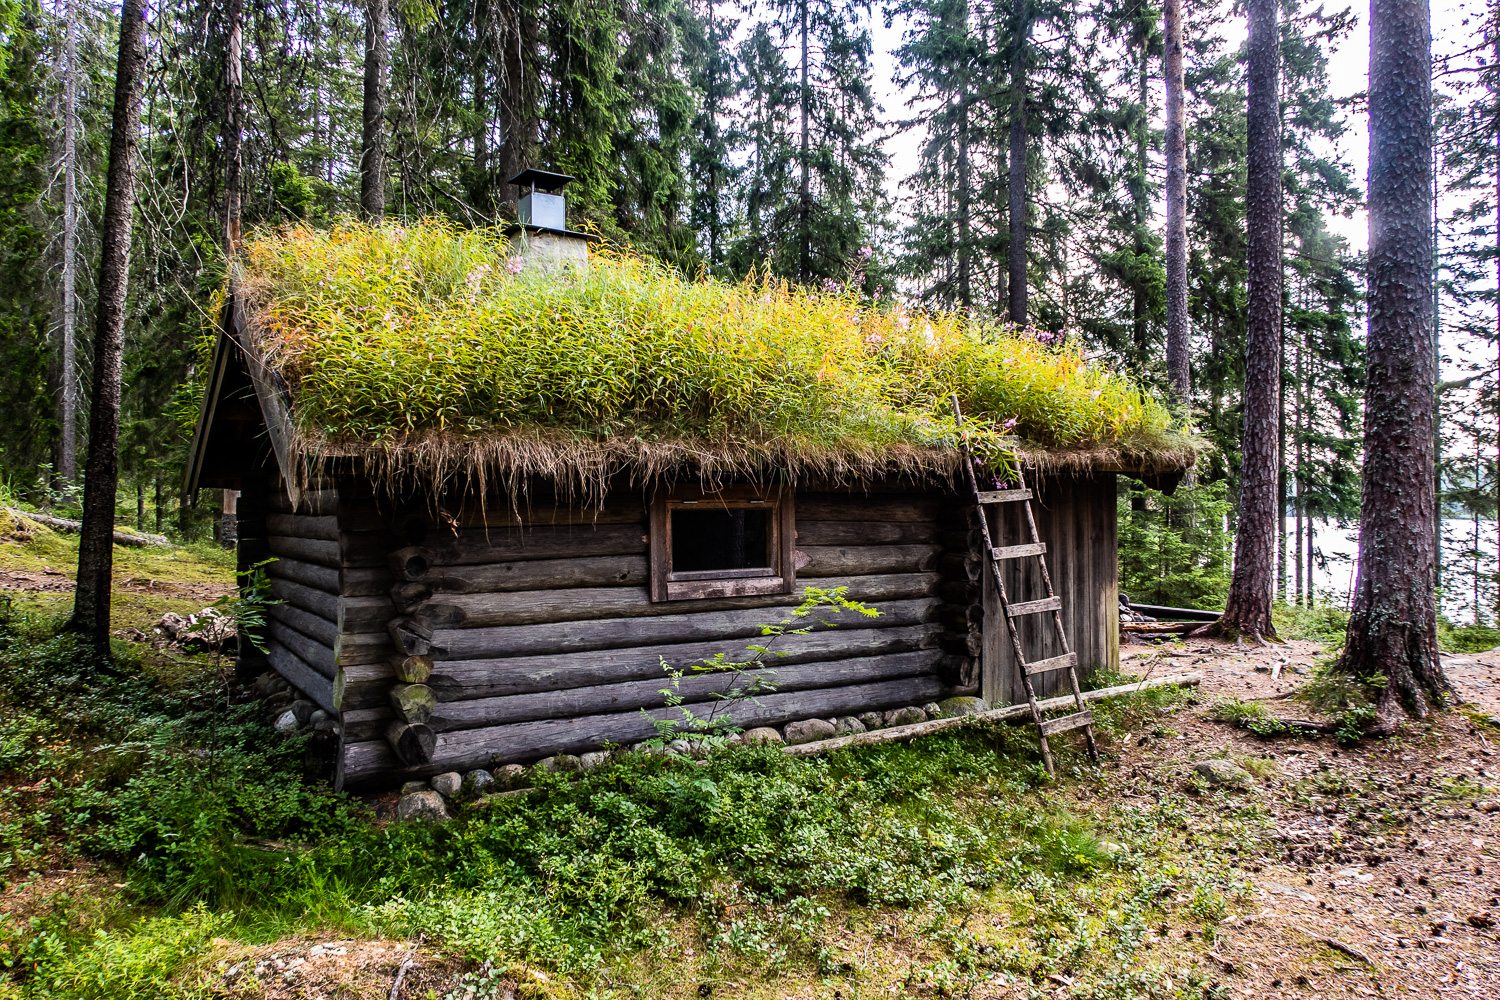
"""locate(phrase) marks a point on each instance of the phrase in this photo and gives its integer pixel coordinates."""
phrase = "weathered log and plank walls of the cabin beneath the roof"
(514, 633)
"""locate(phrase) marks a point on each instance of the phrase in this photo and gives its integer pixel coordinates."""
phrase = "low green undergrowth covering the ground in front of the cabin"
(752, 866)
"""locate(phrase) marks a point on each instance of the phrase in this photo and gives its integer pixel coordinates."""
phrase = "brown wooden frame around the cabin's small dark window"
(779, 578)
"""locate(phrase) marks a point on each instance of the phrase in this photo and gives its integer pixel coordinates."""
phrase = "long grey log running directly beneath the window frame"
(532, 608)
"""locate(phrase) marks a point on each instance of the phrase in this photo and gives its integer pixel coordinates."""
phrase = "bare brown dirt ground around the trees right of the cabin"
(1378, 864)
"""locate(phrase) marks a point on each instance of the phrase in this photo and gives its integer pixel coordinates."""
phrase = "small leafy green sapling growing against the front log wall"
(746, 678)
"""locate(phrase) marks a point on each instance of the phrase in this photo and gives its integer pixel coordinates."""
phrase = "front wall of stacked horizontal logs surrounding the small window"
(545, 639)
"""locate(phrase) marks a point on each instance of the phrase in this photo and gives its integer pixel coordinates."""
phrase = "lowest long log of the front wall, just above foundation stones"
(373, 762)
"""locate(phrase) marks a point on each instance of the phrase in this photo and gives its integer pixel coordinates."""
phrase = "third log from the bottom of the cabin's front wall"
(457, 680)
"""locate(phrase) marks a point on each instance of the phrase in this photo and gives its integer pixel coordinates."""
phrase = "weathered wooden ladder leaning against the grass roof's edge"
(1034, 549)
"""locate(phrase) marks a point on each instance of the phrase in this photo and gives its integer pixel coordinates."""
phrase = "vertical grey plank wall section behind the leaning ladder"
(1076, 516)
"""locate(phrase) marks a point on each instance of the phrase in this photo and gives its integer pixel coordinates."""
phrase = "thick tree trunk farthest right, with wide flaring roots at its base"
(1393, 627)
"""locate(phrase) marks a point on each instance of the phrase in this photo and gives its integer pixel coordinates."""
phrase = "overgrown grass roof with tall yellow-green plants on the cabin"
(428, 350)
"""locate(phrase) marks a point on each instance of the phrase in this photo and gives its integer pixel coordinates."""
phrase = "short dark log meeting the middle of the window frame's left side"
(476, 546)
